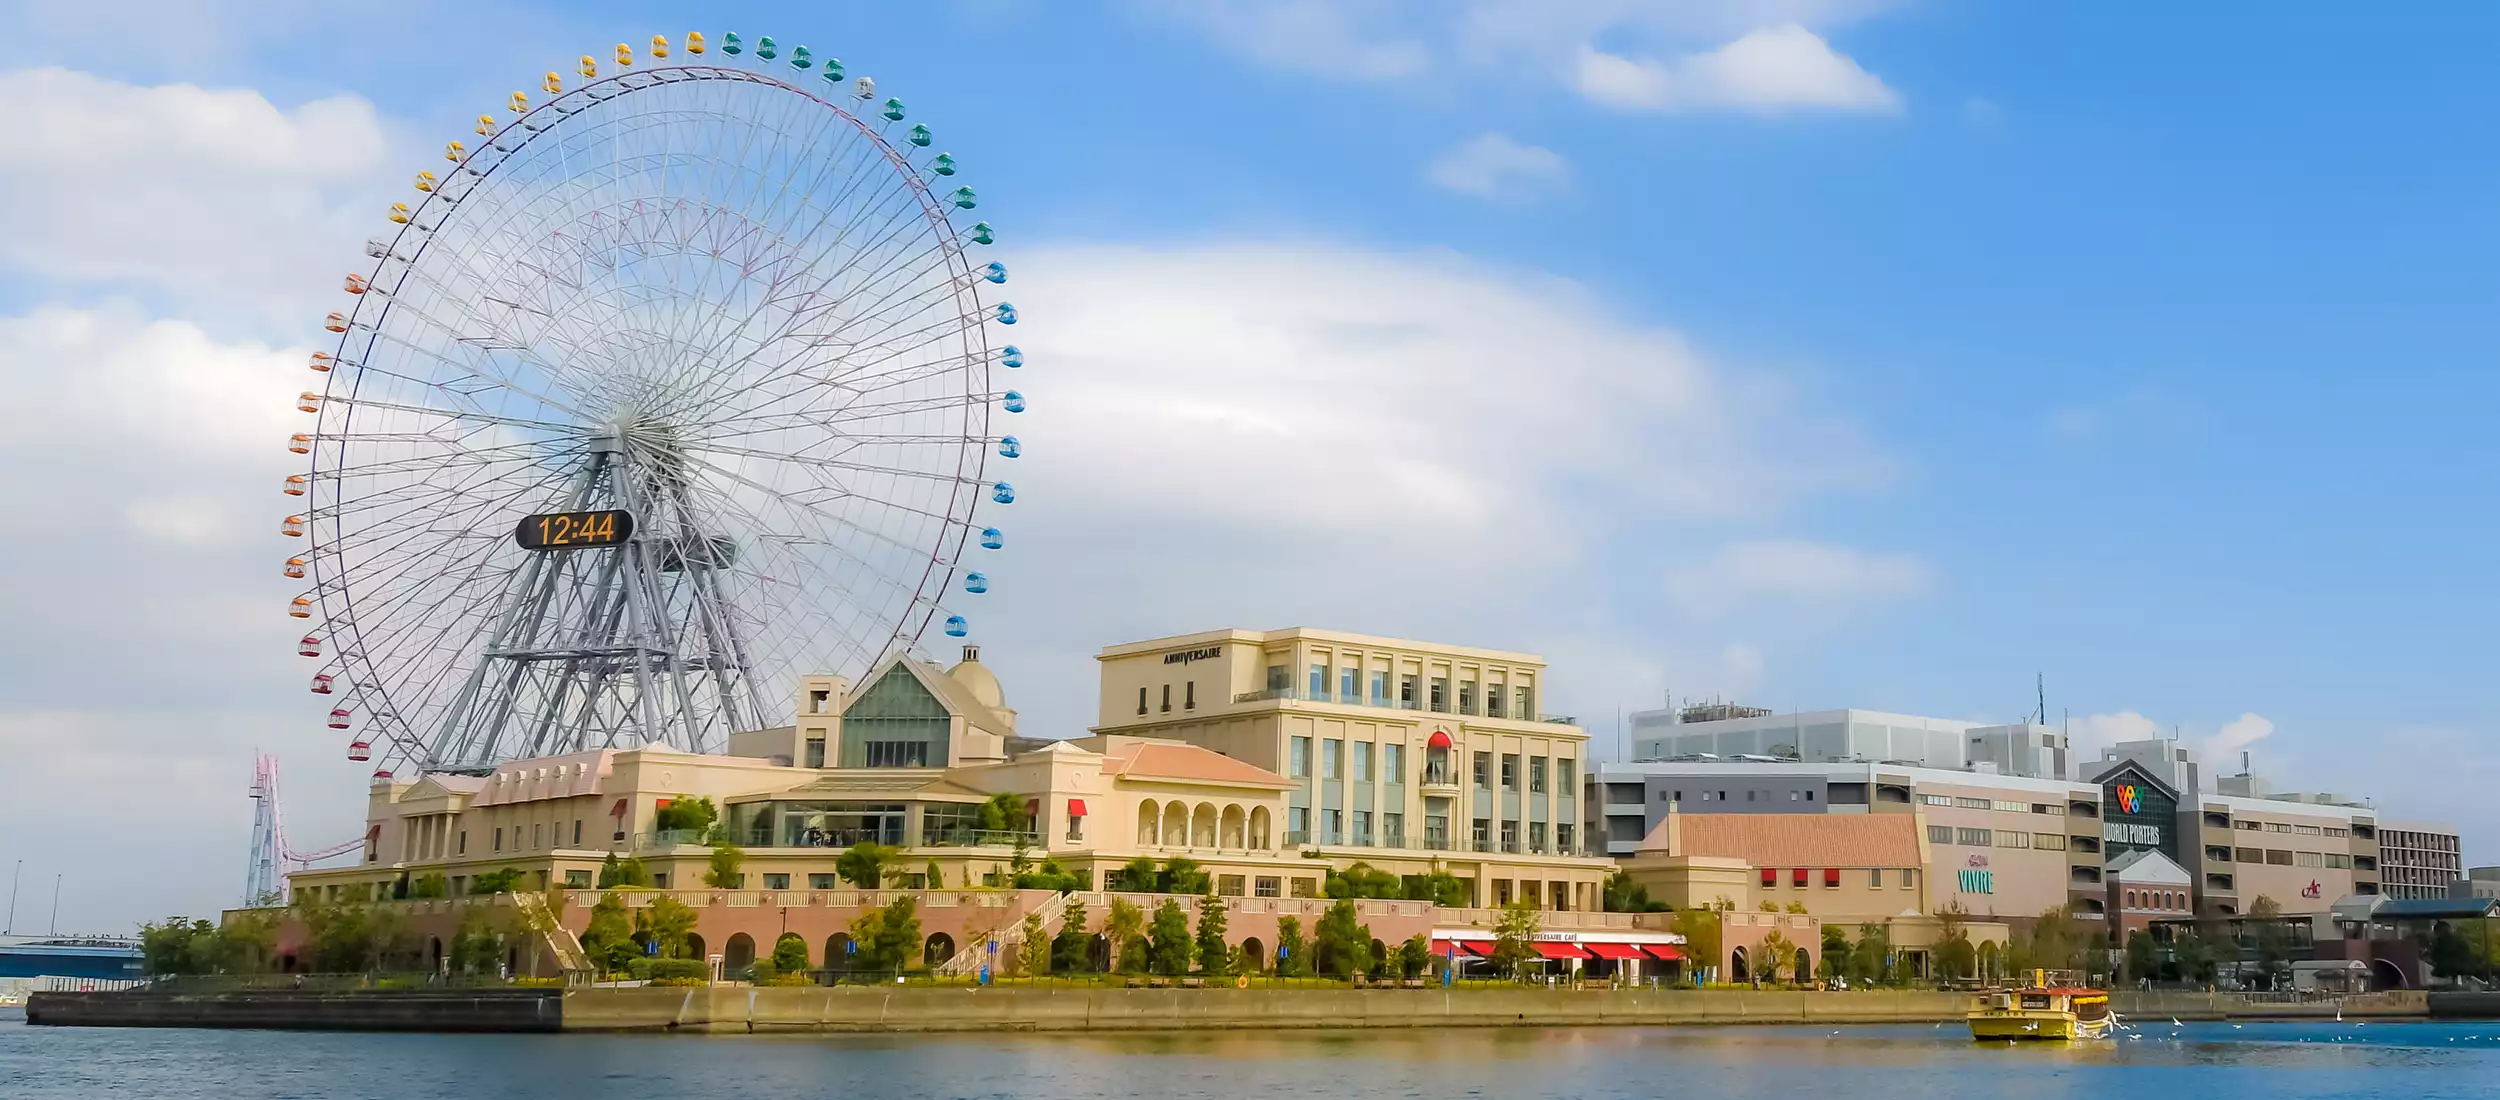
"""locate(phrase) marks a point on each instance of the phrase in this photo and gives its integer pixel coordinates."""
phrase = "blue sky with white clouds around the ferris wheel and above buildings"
(1836, 354)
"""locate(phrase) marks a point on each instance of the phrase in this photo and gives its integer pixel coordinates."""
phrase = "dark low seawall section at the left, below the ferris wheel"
(424, 1011)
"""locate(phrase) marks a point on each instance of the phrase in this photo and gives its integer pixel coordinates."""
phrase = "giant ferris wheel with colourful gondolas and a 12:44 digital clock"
(674, 384)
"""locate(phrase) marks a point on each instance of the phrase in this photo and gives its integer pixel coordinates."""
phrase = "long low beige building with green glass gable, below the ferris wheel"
(921, 761)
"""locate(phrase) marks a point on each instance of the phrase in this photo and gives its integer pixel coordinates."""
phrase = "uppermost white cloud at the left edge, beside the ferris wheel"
(211, 196)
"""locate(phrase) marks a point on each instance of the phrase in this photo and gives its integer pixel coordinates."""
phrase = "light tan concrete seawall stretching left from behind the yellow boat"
(1081, 1009)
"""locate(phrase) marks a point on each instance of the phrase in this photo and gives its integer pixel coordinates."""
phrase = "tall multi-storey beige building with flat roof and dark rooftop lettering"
(1399, 754)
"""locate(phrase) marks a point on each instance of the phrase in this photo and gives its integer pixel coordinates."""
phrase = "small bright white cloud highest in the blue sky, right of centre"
(1766, 71)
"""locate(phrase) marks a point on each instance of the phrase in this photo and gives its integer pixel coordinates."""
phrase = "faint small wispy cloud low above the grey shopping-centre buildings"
(1796, 571)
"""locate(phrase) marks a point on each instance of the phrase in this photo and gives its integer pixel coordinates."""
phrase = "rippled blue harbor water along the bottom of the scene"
(2209, 1061)
